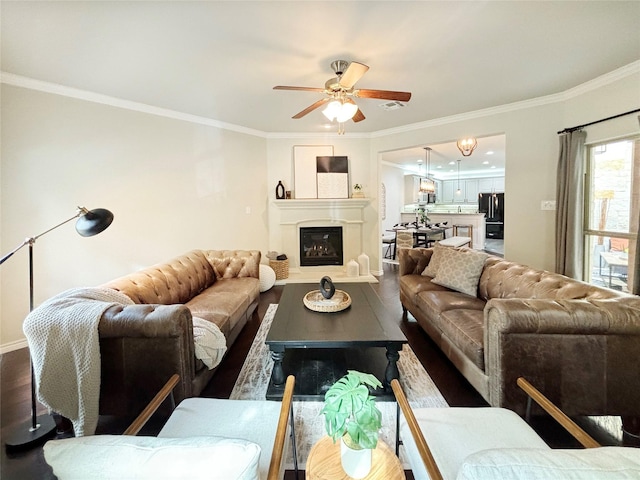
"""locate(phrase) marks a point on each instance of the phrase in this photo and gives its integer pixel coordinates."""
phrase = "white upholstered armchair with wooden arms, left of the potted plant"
(204, 438)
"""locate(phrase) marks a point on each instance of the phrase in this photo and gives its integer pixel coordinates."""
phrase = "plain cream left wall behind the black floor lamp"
(173, 186)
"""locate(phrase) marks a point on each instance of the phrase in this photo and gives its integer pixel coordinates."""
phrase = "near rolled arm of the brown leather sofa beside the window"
(576, 351)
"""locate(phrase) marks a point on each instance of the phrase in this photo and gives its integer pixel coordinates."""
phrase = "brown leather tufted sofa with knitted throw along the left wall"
(144, 344)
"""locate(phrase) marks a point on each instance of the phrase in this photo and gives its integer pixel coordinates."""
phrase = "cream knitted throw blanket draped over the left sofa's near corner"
(65, 351)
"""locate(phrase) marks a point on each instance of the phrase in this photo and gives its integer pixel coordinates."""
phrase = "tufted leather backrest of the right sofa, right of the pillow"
(503, 279)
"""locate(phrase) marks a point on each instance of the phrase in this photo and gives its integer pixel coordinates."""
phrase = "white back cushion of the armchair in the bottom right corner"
(605, 463)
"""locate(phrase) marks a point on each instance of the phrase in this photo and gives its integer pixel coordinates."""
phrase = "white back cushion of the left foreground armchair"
(116, 456)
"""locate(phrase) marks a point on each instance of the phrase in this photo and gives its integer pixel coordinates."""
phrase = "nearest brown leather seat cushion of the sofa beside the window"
(465, 329)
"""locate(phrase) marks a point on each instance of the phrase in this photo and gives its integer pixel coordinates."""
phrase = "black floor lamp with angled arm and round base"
(90, 222)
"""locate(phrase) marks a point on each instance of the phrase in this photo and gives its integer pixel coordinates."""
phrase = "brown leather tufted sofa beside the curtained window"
(578, 343)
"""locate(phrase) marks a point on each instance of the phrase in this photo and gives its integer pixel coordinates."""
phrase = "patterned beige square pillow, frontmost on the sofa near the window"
(460, 270)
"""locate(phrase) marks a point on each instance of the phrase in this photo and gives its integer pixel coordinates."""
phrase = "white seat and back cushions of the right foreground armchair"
(495, 443)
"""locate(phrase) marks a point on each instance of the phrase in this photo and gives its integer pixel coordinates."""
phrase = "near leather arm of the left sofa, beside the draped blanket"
(140, 347)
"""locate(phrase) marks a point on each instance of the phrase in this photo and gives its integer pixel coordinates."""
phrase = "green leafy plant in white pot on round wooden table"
(352, 416)
